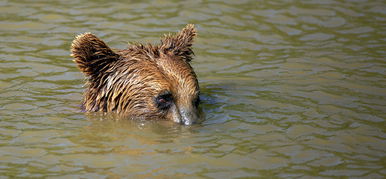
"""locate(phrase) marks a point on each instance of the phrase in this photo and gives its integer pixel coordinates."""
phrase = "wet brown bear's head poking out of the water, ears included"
(142, 81)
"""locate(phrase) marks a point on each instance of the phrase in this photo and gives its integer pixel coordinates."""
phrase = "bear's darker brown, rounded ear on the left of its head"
(91, 54)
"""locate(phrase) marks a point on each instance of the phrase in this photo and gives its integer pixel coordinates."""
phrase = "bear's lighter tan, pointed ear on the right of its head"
(180, 44)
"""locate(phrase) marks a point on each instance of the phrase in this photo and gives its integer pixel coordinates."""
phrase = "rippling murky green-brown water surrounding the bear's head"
(290, 89)
